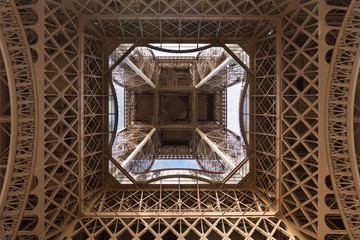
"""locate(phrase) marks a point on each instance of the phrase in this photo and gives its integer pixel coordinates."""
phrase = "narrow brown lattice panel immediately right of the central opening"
(264, 116)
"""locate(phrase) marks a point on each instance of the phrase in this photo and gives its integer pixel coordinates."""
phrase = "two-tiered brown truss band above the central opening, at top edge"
(160, 19)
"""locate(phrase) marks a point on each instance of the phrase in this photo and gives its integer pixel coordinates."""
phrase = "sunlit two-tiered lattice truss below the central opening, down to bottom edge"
(180, 213)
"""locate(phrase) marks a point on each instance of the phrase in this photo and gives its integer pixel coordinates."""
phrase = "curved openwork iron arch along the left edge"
(18, 62)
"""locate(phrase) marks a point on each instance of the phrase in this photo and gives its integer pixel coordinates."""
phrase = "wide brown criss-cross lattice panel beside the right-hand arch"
(300, 80)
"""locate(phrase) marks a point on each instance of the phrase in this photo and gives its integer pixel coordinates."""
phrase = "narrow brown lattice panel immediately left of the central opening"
(95, 103)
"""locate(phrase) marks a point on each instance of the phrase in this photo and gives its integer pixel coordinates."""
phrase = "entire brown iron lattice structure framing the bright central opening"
(304, 112)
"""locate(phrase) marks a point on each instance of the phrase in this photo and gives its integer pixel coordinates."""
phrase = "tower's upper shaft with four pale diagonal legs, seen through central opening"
(142, 73)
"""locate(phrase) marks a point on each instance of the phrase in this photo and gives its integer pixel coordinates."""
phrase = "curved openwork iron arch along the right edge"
(340, 109)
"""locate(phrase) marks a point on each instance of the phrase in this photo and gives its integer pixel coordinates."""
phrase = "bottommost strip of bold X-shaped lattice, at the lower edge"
(181, 228)
